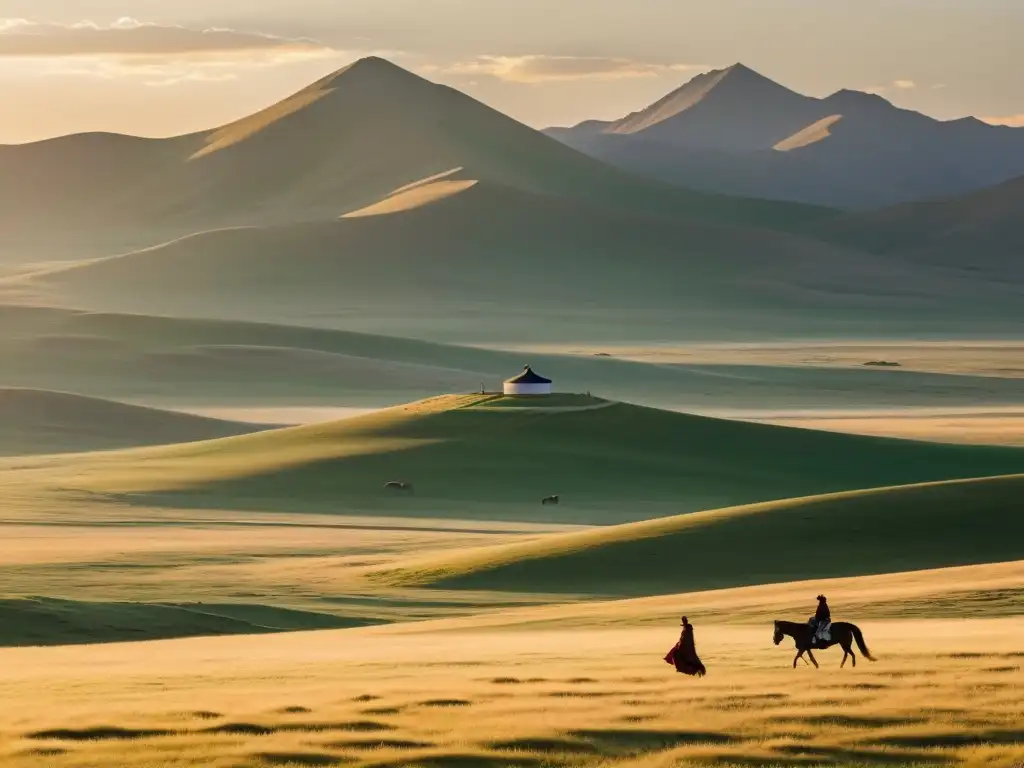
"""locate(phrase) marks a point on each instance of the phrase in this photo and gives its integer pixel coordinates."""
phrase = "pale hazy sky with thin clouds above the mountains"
(167, 67)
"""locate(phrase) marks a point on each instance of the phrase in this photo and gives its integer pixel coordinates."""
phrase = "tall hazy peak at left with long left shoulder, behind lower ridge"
(334, 147)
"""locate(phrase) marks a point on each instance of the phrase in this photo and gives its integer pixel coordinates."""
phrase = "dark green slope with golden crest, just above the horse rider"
(854, 534)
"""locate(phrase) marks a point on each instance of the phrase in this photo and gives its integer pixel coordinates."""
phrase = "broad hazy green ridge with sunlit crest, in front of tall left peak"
(515, 260)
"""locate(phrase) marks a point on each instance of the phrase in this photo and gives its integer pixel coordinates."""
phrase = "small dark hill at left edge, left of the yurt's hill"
(44, 422)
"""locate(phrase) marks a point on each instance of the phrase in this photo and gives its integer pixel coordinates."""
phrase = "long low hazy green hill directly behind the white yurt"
(179, 362)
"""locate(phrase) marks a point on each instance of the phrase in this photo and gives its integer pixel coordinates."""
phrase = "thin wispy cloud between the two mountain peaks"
(545, 69)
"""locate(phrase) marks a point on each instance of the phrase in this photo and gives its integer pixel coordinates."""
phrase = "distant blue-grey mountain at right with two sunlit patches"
(737, 133)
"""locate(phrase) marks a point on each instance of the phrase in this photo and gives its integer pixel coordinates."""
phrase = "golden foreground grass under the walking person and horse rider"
(472, 693)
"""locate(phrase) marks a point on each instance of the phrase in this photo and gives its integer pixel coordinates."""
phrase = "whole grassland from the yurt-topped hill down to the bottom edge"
(181, 607)
